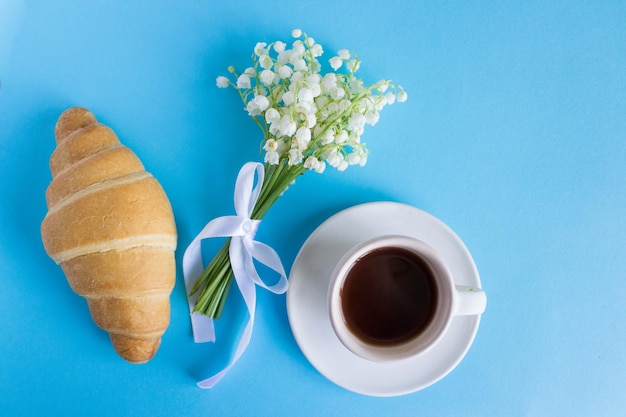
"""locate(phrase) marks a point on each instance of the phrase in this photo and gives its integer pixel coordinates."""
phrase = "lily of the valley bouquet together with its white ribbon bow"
(309, 120)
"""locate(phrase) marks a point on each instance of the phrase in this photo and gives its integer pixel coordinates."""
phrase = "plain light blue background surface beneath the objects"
(514, 134)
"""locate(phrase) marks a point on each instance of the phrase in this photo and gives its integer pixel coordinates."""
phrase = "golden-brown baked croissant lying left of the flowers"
(111, 228)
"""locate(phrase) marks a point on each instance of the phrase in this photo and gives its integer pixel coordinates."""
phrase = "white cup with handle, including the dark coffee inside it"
(394, 297)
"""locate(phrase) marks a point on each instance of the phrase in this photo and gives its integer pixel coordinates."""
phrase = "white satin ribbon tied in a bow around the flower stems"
(243, 249)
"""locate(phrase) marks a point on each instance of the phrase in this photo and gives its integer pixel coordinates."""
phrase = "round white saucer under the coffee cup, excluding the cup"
(307, 300)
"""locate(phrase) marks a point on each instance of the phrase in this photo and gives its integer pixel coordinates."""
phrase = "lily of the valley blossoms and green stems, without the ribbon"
(309, 120)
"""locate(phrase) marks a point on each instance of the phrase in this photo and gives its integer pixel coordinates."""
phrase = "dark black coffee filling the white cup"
(389, 296)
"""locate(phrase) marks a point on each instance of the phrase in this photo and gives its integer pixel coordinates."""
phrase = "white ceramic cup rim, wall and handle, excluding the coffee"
(451, 300)
